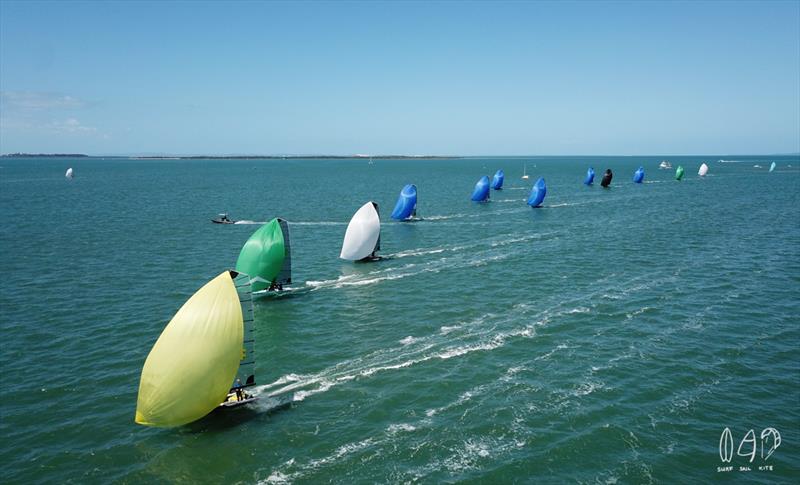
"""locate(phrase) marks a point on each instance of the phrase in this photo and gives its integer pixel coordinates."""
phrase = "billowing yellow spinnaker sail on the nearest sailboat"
(191, 367)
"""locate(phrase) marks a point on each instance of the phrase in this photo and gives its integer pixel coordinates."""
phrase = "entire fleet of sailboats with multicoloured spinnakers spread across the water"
(205, 356)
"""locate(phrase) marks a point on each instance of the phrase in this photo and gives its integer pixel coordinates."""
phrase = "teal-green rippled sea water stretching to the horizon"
(608, 337)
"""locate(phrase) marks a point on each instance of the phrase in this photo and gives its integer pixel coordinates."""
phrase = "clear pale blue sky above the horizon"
(445, 78)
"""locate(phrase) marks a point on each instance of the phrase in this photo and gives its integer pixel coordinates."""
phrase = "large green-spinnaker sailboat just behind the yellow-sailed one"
(266, 257)
